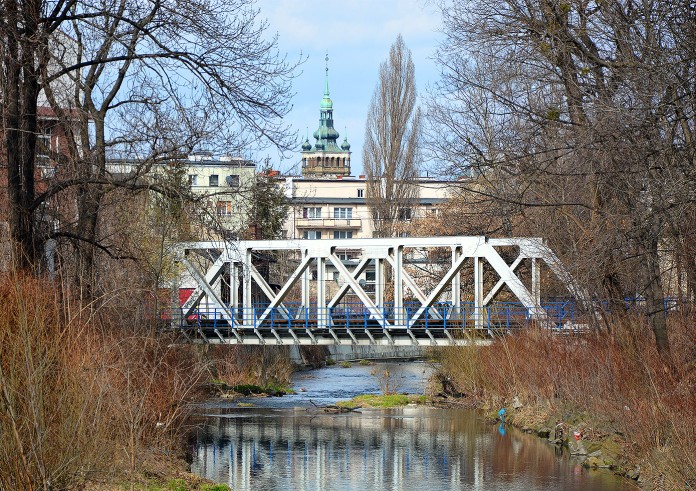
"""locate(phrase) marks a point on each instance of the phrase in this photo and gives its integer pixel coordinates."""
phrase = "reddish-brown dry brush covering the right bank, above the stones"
(617, 383)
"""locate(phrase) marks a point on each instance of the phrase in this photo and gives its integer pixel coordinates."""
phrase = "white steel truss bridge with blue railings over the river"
(429, 291)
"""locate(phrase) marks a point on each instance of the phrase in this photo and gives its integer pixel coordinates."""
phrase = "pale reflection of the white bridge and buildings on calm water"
(308, 449)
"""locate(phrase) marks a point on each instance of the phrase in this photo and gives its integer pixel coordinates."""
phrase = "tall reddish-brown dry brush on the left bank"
(80, 398)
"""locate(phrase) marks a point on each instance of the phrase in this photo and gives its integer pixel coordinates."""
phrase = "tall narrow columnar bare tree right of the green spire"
(392, 138)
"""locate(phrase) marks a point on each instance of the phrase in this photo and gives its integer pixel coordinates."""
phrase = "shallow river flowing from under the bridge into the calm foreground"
(284, 443)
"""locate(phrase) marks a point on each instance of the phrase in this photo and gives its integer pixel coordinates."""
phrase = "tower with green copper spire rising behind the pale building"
(326, 158)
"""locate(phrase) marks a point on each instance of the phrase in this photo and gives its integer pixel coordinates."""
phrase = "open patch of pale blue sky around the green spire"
(357, 35)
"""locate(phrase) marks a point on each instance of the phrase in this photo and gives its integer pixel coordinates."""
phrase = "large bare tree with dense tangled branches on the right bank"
(581, 117)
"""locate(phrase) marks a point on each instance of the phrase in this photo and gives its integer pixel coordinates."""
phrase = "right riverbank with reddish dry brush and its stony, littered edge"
(610, 399)
